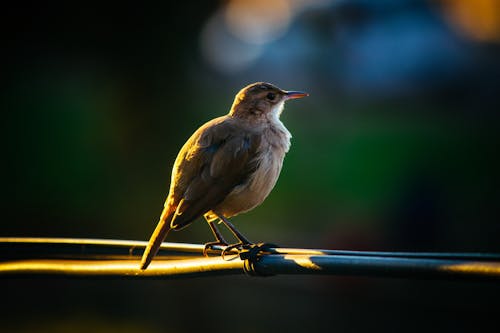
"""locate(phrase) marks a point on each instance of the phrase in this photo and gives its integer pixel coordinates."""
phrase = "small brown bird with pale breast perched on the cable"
(228, 166)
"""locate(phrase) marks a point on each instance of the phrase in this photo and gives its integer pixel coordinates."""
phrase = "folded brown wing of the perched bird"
(218, 157)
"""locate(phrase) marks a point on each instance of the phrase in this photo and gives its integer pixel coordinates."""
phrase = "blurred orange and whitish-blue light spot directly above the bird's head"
(236, 35)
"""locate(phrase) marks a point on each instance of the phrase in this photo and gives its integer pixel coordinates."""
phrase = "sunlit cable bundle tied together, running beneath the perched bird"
(120, 258)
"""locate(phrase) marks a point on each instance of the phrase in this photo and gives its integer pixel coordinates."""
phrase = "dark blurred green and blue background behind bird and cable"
(395, 149)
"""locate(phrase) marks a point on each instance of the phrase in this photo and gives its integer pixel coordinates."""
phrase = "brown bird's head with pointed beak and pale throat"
(262, 100)
